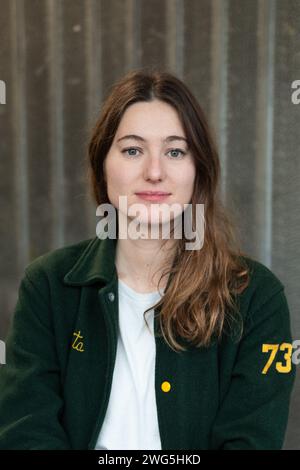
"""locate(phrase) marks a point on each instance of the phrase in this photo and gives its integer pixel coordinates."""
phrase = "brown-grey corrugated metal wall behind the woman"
(59, 57)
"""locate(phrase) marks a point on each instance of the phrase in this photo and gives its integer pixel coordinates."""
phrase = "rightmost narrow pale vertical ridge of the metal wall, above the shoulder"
(265, 130)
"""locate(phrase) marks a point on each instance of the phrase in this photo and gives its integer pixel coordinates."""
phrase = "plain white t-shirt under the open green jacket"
(131, 417)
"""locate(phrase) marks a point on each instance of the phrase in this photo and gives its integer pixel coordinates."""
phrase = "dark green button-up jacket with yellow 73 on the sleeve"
(54, 391)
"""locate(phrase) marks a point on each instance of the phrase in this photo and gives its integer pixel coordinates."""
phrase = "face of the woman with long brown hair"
(151, 162)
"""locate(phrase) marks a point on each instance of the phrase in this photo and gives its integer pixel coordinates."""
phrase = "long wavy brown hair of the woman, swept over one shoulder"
(200, 300)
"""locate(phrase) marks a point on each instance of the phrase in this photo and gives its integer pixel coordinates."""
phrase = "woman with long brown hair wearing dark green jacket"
(85, 368)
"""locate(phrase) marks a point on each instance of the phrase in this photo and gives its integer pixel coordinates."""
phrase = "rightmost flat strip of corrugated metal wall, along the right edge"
(286, 175)
